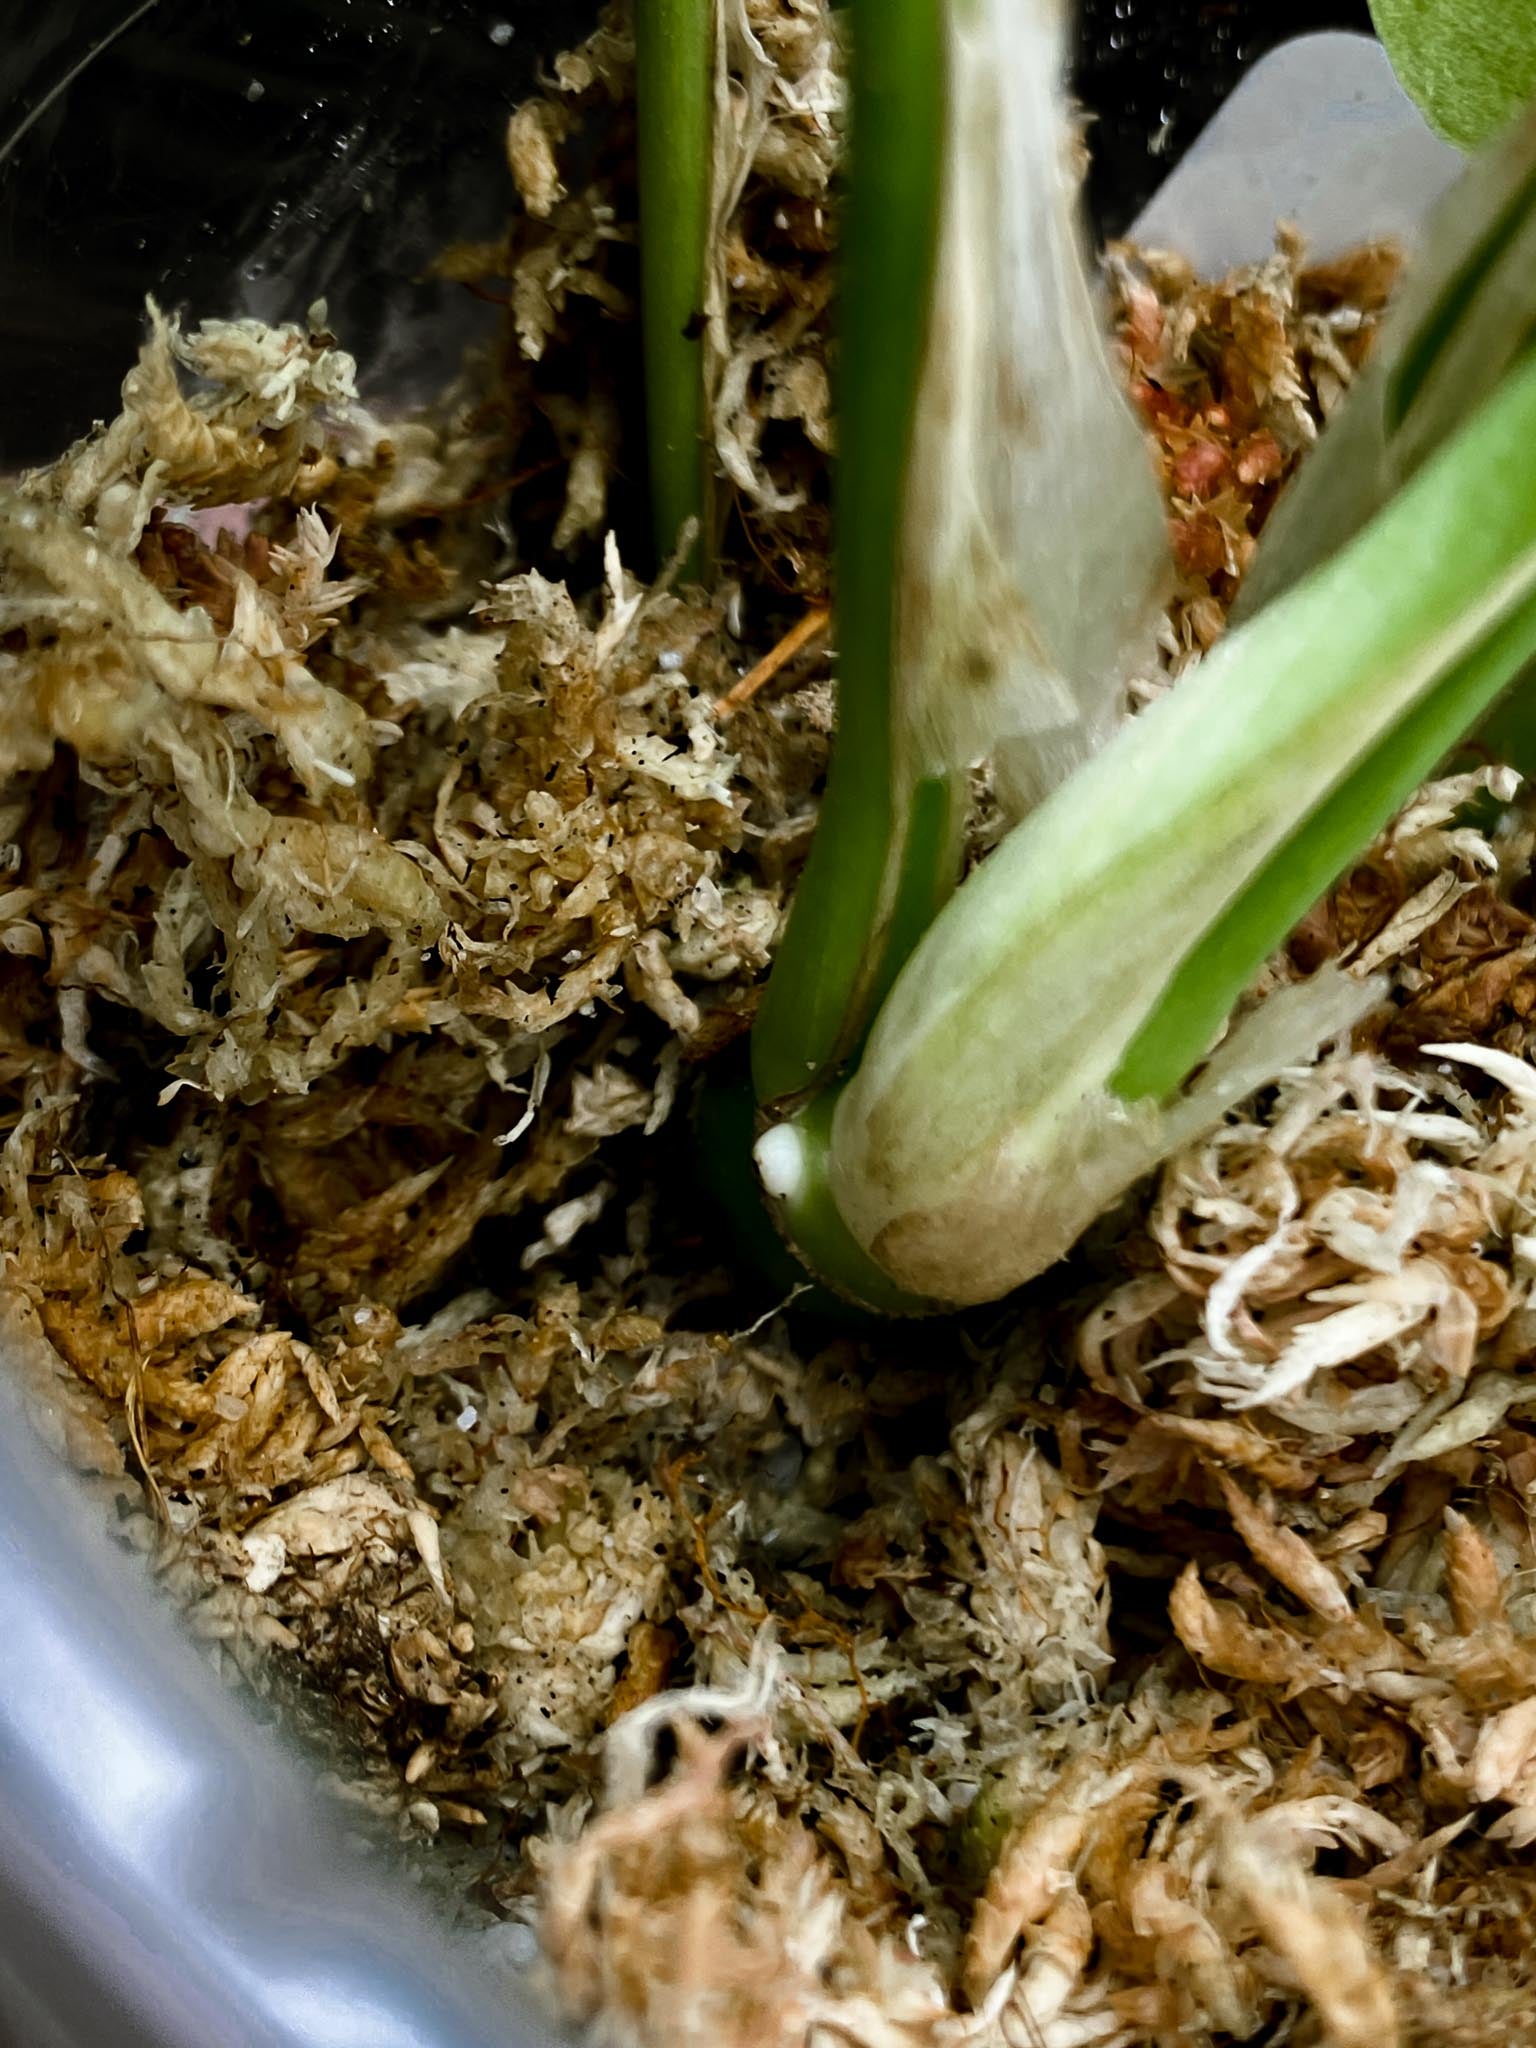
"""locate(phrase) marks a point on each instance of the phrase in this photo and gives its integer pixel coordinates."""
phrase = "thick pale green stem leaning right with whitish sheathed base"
(1029, 1062)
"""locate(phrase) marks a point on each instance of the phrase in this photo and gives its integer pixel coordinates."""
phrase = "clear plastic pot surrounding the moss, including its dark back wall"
(169, 1875)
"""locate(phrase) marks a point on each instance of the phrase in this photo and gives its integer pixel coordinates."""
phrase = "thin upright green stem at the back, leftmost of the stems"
(675, 95)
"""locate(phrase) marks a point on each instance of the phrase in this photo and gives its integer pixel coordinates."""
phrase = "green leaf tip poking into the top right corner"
(1471, 65)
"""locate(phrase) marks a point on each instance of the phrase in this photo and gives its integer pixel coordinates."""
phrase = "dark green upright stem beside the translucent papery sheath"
(884, 855)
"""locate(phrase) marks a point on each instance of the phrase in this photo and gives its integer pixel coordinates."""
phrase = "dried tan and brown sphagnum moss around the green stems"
(1152, 1666)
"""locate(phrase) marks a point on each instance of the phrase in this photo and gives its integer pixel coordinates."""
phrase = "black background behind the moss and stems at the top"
(341, 142)
